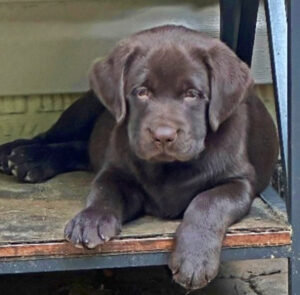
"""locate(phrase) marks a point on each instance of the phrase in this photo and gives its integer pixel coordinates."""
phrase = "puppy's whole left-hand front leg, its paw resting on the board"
(113, 200)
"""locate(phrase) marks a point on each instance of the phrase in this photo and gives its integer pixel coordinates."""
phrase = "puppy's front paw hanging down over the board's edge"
(196, 258)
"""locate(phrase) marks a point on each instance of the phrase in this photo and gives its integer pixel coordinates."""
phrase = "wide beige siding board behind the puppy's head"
(50, 45)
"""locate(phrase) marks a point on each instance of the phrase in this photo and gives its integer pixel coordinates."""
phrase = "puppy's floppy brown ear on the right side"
(230, 80)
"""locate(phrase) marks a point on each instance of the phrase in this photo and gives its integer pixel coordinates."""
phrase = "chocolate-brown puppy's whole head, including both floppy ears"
(174, 85)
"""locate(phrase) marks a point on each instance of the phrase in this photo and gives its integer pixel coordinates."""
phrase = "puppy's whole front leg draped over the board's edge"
(195, 260)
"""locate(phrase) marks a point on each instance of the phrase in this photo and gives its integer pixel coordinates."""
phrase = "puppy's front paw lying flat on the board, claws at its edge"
(92, 227)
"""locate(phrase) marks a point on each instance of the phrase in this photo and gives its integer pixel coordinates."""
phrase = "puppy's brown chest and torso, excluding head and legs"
(167, 189)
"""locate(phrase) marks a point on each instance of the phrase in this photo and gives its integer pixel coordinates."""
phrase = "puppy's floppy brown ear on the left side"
(107, 79)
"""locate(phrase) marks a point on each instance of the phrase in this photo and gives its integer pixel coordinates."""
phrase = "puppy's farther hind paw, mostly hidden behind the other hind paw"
(6, 150)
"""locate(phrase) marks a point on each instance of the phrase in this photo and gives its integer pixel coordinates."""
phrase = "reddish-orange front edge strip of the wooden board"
(118, 246)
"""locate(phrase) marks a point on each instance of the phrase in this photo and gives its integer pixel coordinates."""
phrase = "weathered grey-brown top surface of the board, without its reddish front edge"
(35, 213)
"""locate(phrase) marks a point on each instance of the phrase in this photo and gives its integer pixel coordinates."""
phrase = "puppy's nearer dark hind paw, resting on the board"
(31, 163)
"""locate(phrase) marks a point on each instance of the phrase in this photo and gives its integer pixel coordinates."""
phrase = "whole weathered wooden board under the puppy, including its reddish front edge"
(33, 216)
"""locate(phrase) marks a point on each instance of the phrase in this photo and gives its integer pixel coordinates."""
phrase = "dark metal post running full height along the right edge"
(294, 141)
